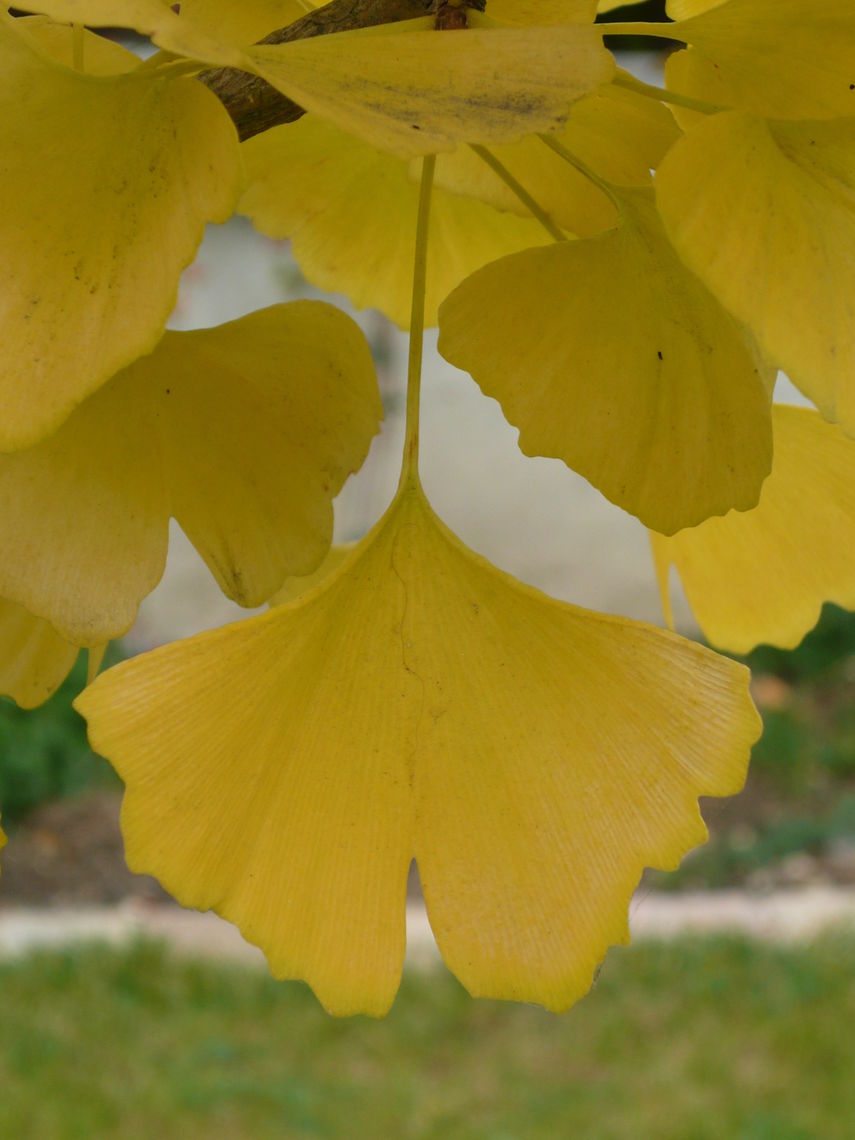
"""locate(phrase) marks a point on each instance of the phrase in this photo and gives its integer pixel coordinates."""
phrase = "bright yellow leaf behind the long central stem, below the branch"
(349, 211)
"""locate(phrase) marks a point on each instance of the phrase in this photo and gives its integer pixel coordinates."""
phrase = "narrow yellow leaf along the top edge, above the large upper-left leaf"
(189, 29)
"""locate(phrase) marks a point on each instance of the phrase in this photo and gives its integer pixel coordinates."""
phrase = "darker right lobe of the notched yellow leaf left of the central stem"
(267, 419)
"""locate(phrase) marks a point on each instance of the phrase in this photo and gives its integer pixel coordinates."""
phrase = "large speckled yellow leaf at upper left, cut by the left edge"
(91, 275)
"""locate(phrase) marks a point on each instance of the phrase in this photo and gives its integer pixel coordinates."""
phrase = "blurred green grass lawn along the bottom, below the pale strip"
(690, 1040)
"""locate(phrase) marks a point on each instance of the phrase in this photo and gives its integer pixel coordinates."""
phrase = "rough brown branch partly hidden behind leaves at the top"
(255, 105)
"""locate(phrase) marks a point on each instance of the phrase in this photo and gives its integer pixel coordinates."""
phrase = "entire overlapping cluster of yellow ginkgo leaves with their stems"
(624, 268)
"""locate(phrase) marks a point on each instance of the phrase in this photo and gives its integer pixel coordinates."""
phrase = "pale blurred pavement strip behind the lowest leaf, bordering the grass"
(784, 917)
